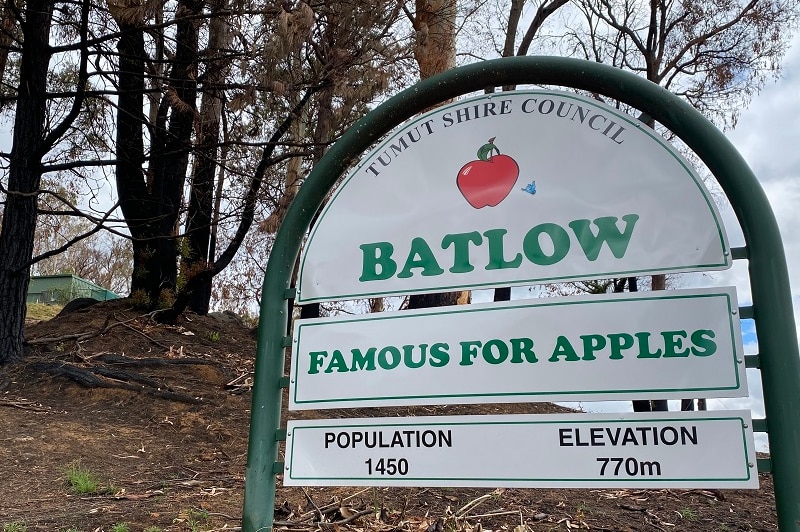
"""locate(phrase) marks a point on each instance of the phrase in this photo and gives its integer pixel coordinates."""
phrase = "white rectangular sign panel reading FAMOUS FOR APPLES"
(669, 344)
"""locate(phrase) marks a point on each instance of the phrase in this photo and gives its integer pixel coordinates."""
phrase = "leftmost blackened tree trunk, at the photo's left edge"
(24, 176)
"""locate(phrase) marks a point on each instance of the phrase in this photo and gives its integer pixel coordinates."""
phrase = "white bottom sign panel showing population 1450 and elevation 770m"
(655, 450)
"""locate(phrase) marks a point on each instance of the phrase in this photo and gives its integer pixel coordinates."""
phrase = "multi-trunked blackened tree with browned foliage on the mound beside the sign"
(285, 68)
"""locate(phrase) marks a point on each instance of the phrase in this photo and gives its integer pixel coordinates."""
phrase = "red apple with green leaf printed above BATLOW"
(488, 180)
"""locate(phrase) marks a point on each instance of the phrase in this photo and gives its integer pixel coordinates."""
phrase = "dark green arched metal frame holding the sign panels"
(778, 359)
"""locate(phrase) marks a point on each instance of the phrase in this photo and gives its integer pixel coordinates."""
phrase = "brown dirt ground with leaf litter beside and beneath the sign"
(159, 415)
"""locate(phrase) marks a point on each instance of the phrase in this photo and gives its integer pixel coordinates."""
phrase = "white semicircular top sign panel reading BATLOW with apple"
(509, 189)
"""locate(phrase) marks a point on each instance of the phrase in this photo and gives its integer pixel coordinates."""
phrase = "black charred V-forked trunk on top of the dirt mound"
(151, 205)
